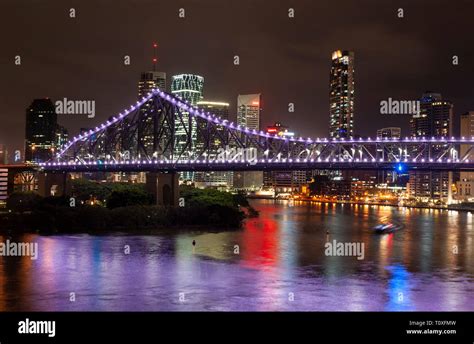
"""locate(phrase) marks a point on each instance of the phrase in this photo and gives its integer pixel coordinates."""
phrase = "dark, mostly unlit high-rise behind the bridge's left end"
(40, 133)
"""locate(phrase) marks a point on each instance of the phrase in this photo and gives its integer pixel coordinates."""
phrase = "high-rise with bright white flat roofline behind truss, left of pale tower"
(222, 179)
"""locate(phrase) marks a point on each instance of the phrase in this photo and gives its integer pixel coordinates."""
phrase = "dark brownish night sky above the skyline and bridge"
(287, 60)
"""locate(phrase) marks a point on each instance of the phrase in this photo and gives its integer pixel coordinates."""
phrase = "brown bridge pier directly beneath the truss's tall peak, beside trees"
(164, 187)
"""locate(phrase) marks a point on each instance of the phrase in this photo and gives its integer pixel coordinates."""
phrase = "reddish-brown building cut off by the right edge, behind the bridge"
(465, 185)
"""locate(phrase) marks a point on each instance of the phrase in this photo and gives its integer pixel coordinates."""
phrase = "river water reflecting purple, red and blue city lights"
(276, 262)
